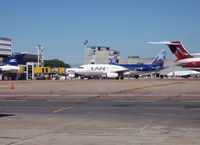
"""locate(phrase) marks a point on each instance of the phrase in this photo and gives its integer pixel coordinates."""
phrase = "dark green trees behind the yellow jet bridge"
(55, 63)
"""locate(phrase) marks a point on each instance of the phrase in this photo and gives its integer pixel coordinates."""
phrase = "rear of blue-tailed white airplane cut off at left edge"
(12, 63)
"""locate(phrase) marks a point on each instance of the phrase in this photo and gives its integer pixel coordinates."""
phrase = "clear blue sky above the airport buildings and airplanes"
(61, 26)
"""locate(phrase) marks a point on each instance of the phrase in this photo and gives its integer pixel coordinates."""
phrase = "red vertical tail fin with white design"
(179, 51)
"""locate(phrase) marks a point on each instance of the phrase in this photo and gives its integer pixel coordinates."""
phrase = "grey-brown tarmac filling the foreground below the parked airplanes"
(100, 112)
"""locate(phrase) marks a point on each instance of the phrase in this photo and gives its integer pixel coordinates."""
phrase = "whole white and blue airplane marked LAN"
(113, 70)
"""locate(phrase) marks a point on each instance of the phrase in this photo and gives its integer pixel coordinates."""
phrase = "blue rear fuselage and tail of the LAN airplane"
(141, 68)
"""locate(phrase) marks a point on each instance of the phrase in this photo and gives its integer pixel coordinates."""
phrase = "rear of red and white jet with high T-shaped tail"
(183, 57)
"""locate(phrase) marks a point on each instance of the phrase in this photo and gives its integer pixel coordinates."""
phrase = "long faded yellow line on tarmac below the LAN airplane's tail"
(144, 87)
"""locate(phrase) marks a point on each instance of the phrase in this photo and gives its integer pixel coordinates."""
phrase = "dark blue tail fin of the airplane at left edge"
(15, 58)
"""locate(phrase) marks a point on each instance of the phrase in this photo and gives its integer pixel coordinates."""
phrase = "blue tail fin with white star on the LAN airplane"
(160, 58)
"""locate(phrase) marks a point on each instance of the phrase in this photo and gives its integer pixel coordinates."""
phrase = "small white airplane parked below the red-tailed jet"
(184, 74)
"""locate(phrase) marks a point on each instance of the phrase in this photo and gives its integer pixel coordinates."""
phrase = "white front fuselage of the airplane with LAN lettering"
(105, 70)
